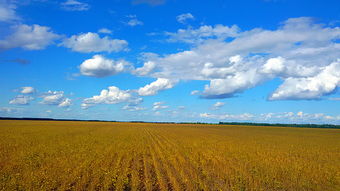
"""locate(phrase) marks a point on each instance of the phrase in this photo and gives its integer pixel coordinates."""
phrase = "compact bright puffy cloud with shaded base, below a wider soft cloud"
(99, 66)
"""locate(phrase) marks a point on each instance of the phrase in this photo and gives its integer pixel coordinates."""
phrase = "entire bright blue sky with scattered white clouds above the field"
(168, 60)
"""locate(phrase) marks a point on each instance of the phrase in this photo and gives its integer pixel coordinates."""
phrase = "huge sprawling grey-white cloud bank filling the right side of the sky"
(300, 52)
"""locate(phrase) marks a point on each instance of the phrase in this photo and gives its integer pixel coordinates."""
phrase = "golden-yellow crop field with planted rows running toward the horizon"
(60, 155)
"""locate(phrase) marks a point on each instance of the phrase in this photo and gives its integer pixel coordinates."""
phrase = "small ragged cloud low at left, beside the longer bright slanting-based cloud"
(55, 98)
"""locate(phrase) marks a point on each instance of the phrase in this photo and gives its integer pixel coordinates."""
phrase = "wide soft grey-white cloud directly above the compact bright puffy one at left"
(91, 42)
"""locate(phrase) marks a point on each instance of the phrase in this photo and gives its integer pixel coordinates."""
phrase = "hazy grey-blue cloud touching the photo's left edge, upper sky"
(33, 37)
